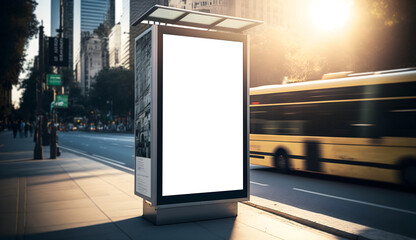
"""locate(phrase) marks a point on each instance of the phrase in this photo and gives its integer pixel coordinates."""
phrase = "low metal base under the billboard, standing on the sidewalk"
(179, 214)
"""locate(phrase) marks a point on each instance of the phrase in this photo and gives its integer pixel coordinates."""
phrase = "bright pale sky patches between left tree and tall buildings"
(43, 14)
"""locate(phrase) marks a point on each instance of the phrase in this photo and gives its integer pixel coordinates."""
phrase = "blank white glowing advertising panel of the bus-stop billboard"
(202, 115)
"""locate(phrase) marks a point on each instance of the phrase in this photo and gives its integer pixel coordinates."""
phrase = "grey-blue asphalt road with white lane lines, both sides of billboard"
(380, 206)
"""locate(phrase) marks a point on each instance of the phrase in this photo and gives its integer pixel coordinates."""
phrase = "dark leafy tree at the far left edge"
(18, 24)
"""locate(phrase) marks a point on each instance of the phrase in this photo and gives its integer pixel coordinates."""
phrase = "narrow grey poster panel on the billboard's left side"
(142, 128)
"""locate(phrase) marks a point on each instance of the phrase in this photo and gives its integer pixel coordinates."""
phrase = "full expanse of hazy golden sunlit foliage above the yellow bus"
(379, 35)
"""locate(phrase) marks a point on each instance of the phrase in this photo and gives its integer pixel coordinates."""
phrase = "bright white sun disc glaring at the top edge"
(330, 14)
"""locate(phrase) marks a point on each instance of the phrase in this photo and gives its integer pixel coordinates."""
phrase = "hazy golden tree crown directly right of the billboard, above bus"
(276, 53)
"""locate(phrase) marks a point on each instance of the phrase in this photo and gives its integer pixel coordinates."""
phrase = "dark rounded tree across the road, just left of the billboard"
(116, 85)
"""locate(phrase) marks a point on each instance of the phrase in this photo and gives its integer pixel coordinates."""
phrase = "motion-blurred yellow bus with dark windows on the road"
(357, 125)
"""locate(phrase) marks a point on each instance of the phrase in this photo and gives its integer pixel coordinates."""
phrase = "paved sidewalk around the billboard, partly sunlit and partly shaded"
(77, 198)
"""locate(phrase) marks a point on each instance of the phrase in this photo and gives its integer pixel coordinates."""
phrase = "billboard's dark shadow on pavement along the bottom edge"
(139, 228)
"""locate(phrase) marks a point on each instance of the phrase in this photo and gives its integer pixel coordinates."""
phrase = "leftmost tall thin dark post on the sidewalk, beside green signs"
(38, 151)
